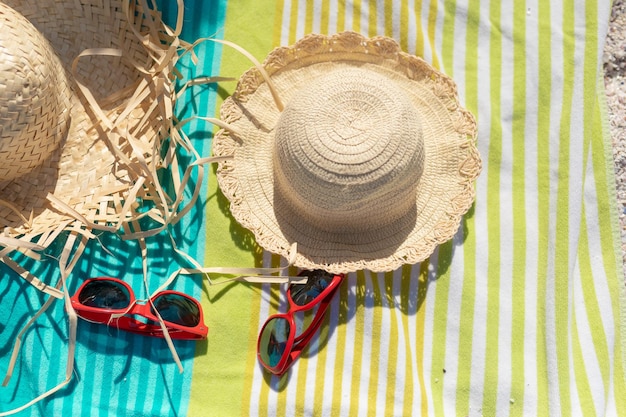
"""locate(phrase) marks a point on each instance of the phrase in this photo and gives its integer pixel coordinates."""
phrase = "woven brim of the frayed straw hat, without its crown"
(84, 174)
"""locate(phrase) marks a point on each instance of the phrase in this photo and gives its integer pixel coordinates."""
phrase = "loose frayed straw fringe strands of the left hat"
(155, 98)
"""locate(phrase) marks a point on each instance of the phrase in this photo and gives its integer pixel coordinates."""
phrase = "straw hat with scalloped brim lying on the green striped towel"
(369, 165)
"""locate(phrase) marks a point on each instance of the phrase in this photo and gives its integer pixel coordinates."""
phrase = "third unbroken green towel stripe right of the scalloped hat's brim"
(543, 197)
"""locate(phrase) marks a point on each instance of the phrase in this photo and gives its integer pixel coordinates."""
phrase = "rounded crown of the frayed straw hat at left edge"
(34, 99)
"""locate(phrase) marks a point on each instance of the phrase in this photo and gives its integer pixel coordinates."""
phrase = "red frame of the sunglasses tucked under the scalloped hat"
(296, 344)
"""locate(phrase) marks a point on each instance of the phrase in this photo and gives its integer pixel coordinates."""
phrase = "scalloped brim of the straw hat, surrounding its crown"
(444, 191)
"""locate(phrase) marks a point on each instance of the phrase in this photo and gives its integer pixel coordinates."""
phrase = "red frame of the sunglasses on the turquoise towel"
(128, 323)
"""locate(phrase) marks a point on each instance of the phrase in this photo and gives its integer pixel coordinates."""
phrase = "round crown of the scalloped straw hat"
(348, 146)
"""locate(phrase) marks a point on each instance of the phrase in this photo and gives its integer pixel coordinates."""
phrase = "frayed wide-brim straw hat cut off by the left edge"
(86, 103)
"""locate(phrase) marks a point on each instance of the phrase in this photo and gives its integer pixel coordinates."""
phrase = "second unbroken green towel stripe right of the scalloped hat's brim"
(518, 304)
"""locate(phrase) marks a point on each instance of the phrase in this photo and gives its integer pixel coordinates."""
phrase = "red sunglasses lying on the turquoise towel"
(98, 299)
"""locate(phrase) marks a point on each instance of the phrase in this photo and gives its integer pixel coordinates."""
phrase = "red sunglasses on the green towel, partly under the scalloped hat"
(284, 336)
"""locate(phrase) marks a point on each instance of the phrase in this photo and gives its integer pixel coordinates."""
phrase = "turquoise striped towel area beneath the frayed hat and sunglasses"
(117, 373)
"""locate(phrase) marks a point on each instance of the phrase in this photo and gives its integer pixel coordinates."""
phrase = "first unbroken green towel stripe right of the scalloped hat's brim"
(493, 212)
